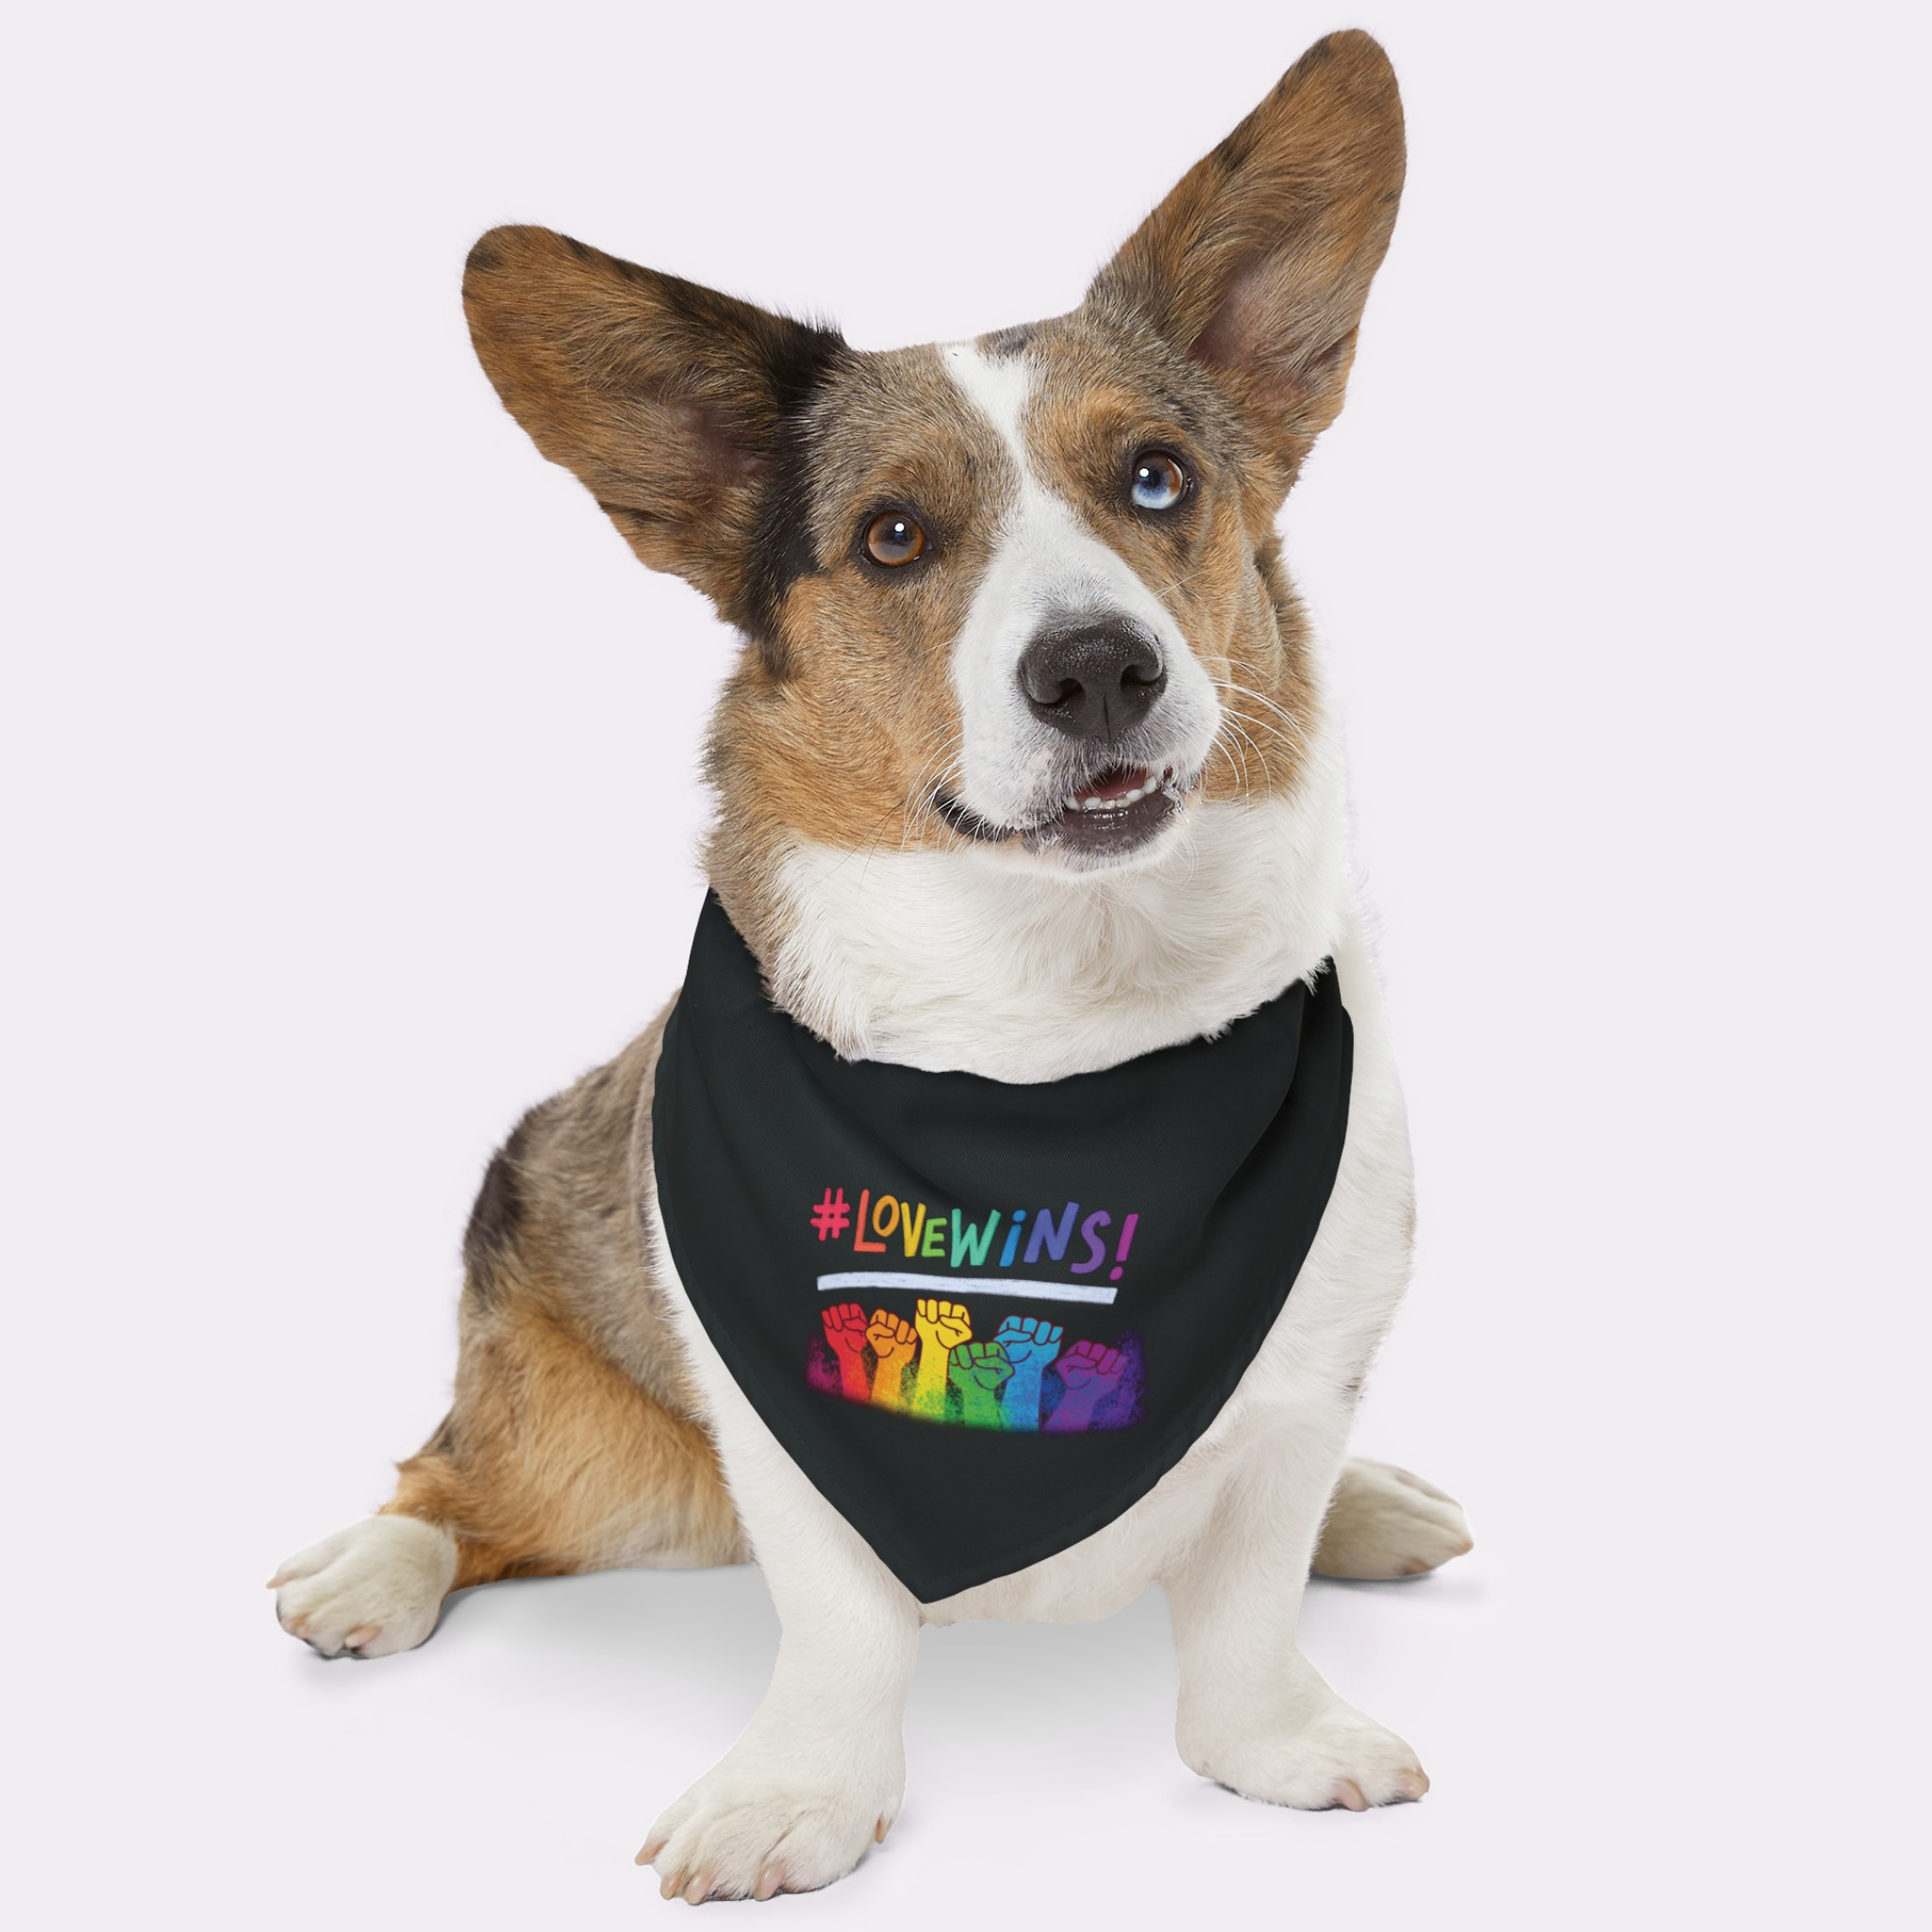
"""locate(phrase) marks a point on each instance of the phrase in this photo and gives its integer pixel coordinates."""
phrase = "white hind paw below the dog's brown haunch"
(370, 1591)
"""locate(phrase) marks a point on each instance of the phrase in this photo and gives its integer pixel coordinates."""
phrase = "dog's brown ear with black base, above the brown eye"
(666, 399)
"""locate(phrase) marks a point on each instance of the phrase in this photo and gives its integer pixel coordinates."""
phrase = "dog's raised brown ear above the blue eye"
(1259, 264)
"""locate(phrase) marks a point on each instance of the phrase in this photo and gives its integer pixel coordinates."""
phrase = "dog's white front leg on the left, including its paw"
(820, 1771)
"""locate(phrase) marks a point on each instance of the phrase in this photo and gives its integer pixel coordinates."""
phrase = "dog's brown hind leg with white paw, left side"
(571, 1444)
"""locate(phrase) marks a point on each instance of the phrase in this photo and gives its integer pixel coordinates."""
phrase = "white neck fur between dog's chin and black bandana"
(961, 961)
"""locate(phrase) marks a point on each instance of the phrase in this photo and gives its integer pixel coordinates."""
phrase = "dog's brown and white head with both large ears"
(1017, 598)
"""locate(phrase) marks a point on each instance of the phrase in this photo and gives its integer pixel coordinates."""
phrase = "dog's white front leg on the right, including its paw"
(1255, 1715)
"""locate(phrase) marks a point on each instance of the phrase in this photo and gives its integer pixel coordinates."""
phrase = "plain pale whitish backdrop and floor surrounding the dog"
(351, 799)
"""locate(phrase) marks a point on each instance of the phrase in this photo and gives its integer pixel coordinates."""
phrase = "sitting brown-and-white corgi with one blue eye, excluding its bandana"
(957, 836)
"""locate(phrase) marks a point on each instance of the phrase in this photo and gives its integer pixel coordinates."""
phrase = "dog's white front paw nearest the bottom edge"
(754, 1827)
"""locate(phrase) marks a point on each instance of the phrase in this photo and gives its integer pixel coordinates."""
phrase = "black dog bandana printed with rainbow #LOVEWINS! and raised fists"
(988, 1319)
